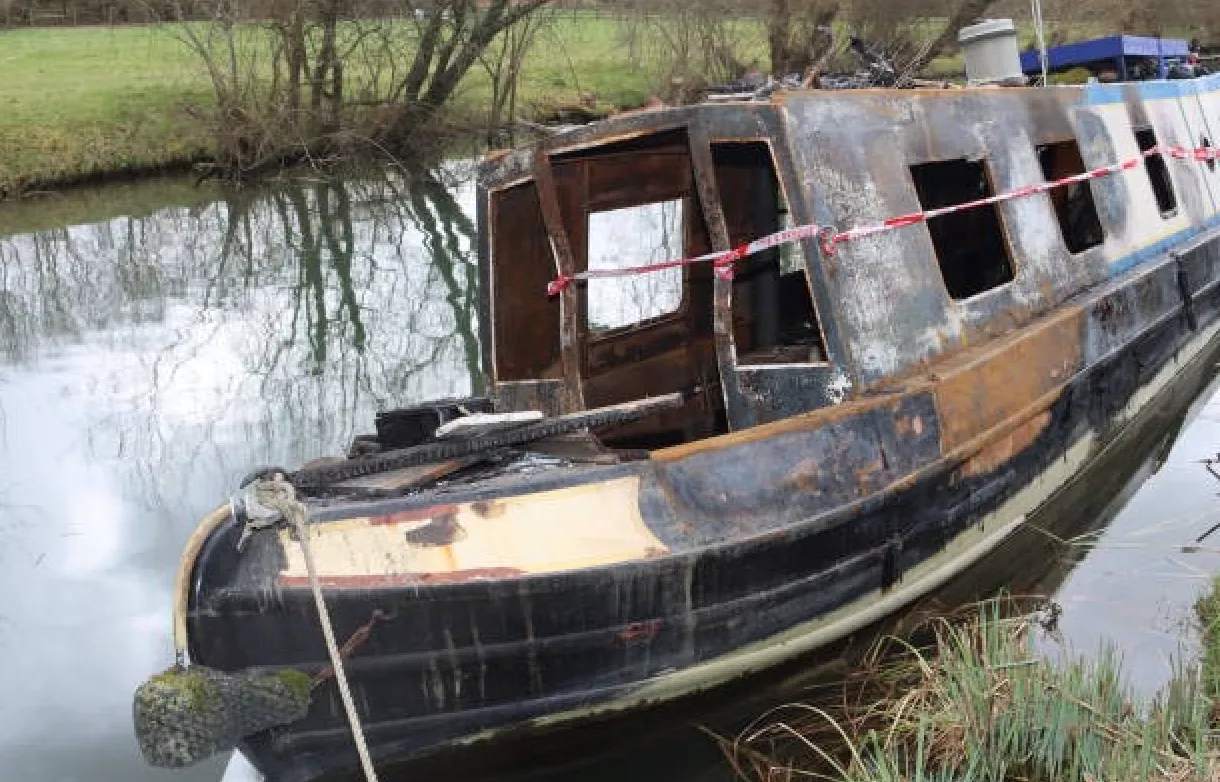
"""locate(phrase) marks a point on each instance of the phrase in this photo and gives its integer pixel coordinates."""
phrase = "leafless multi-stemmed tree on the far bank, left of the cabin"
(314, 79)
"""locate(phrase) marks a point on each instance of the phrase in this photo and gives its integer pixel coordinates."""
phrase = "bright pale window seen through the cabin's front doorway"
(635, 236)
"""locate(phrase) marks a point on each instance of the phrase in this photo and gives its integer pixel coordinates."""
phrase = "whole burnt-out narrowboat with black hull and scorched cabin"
(720, 467)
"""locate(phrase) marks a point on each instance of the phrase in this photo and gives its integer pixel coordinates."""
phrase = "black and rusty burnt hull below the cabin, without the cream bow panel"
(790, 557)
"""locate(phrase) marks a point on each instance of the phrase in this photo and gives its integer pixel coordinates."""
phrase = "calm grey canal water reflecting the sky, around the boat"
(158, 340)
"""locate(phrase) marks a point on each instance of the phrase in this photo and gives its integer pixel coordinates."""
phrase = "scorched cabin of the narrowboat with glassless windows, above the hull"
(797, 329)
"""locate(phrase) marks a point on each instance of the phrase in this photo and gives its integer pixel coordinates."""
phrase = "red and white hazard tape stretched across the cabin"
(829, 237)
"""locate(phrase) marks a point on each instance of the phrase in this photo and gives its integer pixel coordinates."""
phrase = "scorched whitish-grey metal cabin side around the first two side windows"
(856, 152)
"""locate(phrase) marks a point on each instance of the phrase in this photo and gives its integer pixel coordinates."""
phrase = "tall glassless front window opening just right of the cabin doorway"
(774, 317)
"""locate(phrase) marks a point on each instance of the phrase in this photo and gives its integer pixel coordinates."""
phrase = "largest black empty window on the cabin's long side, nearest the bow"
(971, 246)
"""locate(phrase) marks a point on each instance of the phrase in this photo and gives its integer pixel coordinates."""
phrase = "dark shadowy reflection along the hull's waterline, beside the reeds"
(676, 739)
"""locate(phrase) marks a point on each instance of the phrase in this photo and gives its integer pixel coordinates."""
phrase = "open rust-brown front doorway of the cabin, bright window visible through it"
(652, 334)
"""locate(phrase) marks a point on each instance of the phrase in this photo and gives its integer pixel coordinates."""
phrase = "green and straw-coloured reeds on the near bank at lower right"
(978, 701)
